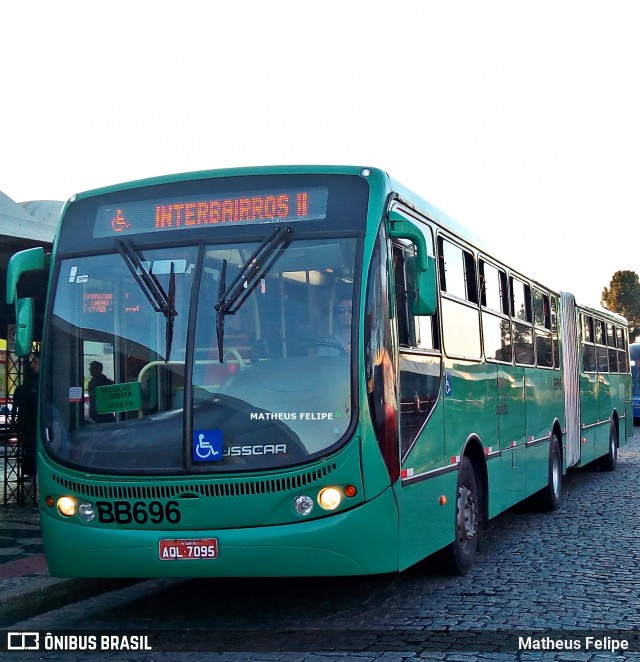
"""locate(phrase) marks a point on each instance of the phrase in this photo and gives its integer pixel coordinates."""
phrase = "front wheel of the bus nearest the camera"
(460, 555)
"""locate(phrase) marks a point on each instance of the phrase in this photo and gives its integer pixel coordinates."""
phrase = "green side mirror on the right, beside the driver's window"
(423, 299)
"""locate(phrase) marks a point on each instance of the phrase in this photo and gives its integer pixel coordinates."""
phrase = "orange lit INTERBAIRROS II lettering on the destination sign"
(230, 210)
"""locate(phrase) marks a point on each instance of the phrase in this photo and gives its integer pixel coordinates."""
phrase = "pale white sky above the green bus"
(520, 120)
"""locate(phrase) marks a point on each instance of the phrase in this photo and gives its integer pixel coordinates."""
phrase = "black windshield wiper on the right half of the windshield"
(230, 299)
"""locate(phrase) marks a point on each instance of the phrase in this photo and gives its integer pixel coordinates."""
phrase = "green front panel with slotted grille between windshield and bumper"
(240, 501)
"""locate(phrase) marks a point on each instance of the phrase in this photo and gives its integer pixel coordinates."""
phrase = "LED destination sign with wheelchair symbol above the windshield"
(251, 207)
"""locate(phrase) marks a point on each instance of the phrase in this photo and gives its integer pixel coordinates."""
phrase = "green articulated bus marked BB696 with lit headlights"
(299, 371)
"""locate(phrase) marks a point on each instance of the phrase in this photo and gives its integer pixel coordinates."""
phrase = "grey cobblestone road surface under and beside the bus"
(566, 575)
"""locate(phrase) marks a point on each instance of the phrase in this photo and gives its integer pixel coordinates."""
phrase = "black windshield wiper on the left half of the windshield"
(160, 301)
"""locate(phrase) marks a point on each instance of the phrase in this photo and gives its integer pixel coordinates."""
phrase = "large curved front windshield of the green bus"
(144, 379)
